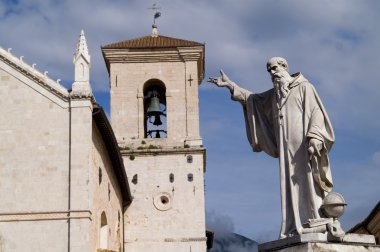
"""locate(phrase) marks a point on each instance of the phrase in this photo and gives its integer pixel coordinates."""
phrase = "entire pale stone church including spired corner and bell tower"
(70, 180)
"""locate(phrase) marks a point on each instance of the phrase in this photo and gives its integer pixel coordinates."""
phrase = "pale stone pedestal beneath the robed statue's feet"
(318, 242)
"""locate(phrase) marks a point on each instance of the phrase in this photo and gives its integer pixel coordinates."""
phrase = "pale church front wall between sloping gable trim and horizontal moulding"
(40, 131)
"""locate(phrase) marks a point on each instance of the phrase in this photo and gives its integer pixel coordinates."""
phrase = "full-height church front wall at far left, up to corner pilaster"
(34, 151)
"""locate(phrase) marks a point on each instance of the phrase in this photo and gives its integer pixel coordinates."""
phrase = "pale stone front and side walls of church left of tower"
(34, 170)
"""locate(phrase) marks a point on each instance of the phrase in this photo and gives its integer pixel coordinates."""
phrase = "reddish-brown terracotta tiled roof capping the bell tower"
(152, 42)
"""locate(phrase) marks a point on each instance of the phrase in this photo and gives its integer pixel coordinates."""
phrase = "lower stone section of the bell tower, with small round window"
(168, 209)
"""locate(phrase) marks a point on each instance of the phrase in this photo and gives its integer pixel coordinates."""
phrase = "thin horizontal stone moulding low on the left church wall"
(37, 216)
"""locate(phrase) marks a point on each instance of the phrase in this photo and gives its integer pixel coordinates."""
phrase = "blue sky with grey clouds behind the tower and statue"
(335, 44)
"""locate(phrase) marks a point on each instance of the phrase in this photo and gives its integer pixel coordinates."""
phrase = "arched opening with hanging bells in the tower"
(155, 109)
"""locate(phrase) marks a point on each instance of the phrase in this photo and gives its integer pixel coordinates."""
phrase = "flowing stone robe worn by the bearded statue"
(282, 129)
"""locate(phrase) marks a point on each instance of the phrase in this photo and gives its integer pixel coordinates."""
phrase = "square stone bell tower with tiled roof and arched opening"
(154, 113)
